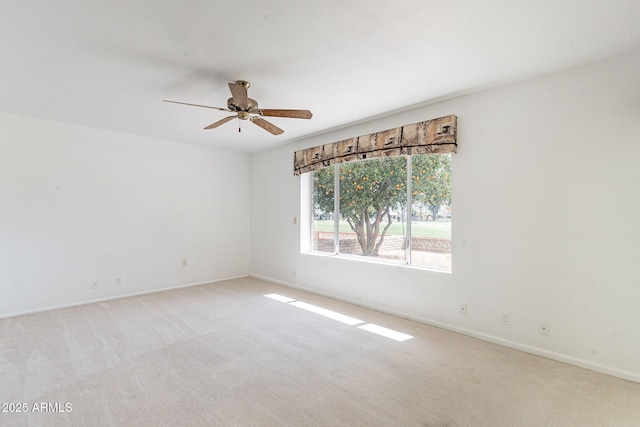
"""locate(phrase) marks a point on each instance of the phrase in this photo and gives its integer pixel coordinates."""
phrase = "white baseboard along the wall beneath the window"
(626, 375)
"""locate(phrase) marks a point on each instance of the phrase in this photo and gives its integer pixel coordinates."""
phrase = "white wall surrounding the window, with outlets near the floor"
(545, 224)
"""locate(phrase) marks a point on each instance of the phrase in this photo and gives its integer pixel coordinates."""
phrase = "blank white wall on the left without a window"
(79, 205)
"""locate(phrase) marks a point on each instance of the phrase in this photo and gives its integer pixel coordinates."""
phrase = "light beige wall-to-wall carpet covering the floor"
(224, 354)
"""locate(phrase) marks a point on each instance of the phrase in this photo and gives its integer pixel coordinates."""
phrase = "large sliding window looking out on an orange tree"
(392, 208)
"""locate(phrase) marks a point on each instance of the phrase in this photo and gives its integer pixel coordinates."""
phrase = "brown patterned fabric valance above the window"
(428, 137)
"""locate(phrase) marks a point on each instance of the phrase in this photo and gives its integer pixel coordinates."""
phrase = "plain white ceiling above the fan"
(109, 63)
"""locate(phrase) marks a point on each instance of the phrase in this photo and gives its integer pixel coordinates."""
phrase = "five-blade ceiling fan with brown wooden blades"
(246, 108)
